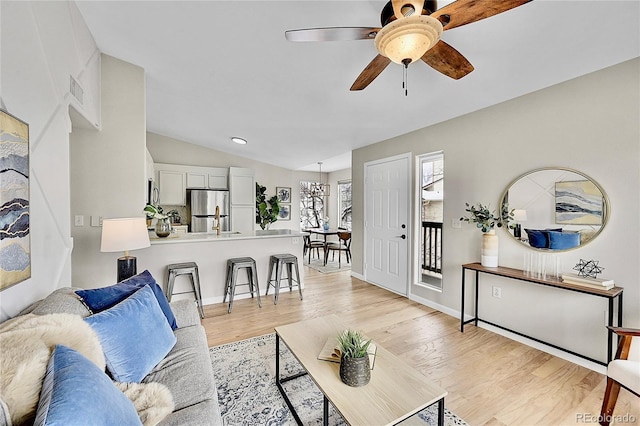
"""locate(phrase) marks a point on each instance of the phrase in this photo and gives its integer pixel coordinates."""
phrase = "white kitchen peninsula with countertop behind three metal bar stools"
(211, 251)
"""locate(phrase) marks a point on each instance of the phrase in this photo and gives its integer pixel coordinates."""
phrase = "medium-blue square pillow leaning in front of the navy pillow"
(134, 335)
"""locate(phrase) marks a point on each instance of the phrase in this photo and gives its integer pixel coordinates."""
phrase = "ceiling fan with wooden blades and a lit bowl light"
(411, 30)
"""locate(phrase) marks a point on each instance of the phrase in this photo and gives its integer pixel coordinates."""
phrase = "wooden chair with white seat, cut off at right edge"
(623, 371)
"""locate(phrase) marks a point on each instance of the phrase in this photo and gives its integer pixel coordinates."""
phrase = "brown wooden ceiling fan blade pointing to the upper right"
(462, 12)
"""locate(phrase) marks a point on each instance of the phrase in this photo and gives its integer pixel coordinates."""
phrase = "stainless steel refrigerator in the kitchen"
(202, 209)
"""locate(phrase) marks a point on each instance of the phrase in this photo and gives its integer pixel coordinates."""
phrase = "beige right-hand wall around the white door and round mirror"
(590, 124)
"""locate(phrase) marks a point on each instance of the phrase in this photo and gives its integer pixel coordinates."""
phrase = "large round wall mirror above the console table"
(555, 209)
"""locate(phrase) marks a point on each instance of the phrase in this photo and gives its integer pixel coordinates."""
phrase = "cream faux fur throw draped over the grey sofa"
(26, 344)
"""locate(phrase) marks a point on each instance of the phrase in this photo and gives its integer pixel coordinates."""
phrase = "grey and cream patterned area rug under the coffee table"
(247, 393)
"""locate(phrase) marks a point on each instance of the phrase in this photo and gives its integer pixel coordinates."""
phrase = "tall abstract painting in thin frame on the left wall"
(15, 250)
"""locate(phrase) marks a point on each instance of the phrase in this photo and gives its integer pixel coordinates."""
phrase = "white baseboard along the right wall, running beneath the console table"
(525, 341)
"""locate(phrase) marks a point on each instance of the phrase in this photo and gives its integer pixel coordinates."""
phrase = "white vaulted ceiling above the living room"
(216, 69)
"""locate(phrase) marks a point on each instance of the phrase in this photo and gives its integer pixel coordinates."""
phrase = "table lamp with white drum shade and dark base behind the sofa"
(124, 234)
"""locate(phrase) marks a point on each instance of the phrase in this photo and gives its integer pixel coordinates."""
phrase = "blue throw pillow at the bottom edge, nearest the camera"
(76, 392)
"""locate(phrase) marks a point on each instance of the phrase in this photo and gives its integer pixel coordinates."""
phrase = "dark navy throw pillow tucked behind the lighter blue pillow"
(99, 299)
